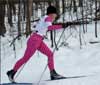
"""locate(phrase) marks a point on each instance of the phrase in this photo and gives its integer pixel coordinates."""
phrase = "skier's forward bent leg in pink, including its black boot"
(45, 50)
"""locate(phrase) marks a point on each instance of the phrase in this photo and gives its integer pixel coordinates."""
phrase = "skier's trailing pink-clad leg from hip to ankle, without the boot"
(32, 46)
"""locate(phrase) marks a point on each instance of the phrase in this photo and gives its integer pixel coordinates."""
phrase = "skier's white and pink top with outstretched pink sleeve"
(45, 24)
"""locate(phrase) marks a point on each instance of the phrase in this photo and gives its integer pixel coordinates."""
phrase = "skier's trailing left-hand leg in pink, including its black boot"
(32, 45)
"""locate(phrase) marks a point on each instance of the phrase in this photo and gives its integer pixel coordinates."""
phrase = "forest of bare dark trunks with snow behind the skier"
(21, 14)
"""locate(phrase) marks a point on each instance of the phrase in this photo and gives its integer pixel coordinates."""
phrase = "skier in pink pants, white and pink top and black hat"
(35, 42)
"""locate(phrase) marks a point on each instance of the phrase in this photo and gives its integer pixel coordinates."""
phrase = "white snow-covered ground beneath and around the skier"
(70, 60)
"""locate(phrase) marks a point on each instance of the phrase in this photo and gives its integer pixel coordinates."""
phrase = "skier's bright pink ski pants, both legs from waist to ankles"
(35, 42)
